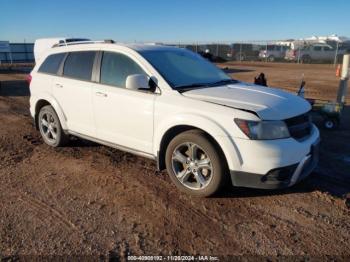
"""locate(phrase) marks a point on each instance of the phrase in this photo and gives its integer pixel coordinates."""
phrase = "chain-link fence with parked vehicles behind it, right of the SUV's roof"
(297, 51)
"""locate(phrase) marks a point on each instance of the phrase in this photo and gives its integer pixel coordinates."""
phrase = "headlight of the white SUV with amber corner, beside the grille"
(263, 130)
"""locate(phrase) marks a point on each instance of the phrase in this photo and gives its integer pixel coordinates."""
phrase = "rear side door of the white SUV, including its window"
(73, 91)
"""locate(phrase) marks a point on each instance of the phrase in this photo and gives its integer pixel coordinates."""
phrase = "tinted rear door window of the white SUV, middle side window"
(79, 65)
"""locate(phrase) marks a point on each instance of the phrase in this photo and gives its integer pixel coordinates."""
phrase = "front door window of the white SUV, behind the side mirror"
(115, 68)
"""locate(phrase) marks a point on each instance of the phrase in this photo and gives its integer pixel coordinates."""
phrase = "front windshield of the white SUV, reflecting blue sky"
(184, 69)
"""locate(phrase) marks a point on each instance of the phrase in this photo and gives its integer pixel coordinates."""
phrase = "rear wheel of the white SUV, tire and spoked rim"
(50, 127)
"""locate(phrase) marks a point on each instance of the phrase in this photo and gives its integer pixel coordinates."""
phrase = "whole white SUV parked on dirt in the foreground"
(173, 106)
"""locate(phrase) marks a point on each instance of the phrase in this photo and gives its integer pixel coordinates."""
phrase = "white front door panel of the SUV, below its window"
(124, 117)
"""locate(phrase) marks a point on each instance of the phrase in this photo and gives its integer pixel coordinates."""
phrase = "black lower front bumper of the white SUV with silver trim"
(279, 177)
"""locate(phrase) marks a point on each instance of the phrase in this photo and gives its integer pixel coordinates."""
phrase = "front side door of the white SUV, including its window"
(123, 117)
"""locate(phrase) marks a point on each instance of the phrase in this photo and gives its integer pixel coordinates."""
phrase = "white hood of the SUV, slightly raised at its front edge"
(268, 103)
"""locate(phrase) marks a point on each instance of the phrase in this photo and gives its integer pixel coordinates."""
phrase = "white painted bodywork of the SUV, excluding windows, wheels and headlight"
(138, 121)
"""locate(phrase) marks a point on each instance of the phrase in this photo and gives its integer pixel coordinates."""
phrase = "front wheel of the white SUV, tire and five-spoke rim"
(194, 164)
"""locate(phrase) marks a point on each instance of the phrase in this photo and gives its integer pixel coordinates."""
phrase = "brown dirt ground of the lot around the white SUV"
(92, 201)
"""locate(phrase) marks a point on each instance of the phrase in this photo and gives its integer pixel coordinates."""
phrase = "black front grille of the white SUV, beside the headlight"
(299, 126)
